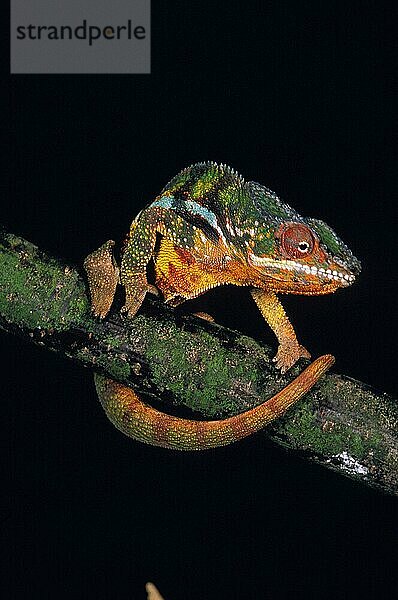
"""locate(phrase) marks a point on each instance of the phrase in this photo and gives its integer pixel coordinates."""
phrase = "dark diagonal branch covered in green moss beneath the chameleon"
(185, 362)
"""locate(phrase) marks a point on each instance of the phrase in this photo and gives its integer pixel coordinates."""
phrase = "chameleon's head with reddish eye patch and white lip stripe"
(303, 256)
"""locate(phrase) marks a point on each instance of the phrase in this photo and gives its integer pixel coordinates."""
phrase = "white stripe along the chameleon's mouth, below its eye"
(335, 274)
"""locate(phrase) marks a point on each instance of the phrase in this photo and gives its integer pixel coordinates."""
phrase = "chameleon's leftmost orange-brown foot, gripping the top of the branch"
(103, 276)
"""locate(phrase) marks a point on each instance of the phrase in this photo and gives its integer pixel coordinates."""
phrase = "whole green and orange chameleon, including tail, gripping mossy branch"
(209, 227)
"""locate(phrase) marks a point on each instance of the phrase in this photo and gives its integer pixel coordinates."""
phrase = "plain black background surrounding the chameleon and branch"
(298, 97)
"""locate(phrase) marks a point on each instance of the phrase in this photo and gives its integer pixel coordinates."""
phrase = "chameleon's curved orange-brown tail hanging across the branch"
(146, 424)
